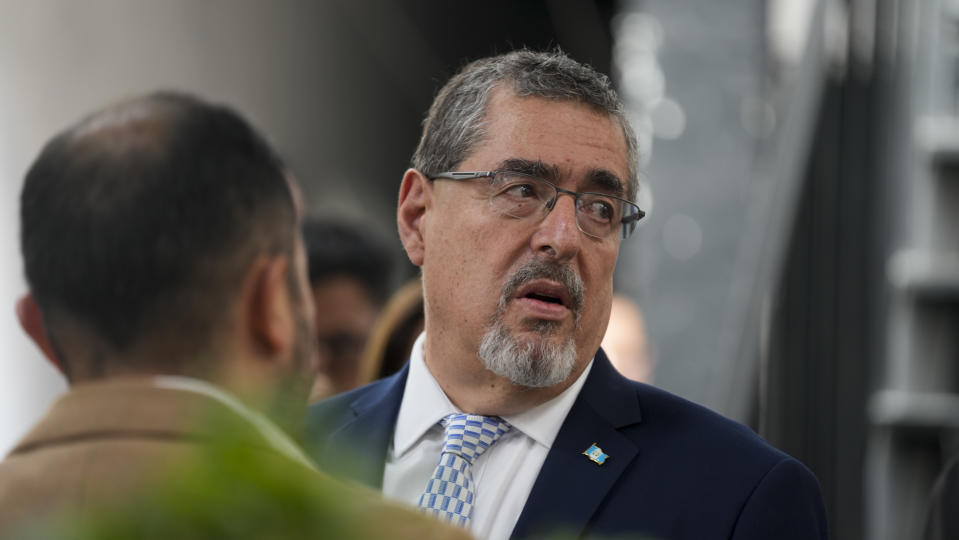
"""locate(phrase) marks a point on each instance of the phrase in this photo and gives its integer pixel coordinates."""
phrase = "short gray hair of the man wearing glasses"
(456, 121)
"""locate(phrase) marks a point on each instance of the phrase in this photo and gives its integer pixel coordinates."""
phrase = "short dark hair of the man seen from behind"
(143, 217)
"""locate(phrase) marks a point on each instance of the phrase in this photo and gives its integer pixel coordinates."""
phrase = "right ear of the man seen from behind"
(268, 306)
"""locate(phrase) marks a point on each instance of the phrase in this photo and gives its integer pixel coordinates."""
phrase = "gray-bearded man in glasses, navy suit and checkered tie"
(509, 420)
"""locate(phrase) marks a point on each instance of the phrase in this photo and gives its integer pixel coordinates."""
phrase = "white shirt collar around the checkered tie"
(425, 404)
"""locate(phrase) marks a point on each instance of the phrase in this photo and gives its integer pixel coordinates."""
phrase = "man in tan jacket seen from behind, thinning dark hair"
(168, 283)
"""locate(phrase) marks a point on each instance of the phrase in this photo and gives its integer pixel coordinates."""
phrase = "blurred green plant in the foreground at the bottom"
(230, 489)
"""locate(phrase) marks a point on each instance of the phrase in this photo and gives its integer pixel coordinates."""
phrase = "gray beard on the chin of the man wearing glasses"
(536, 363)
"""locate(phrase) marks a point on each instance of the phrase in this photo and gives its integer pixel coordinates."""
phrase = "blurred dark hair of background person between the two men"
(338, 248)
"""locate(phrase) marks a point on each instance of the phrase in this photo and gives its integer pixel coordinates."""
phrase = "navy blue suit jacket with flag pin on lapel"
(675, 469)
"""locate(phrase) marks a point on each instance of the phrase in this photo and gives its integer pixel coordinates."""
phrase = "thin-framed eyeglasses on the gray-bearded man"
(521, 196)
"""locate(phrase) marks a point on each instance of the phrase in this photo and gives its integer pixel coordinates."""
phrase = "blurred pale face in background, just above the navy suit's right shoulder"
(626, 343)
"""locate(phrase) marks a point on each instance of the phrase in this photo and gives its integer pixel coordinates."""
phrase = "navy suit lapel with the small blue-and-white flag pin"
(570, 486)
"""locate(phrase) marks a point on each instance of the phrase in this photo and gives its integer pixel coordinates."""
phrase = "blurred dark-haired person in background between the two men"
(350, 276)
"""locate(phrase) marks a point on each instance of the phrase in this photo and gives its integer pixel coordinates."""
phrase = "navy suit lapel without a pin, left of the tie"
(364, 441)
